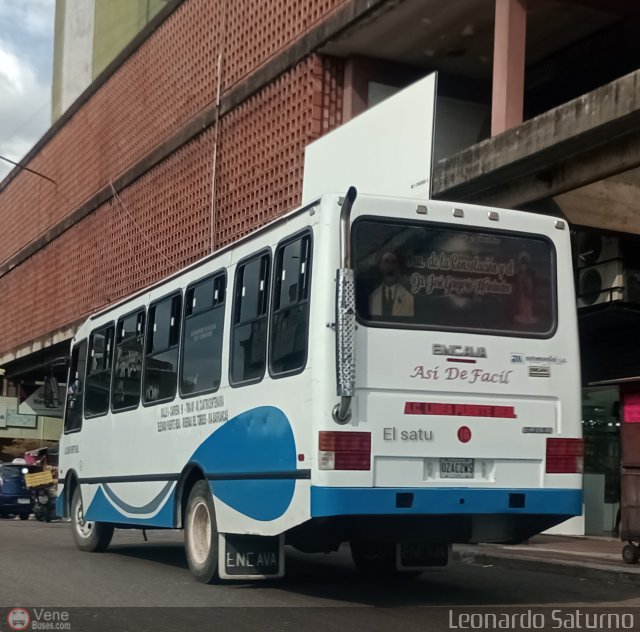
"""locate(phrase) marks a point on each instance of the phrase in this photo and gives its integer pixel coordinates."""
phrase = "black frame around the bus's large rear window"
(471, 228)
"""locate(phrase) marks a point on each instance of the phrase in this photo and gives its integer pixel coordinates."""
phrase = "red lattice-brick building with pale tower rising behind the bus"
(193, 134)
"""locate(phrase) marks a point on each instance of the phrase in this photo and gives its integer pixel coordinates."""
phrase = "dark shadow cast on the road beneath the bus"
(333, 578)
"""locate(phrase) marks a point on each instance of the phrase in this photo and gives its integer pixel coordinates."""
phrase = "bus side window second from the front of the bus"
(98, 383)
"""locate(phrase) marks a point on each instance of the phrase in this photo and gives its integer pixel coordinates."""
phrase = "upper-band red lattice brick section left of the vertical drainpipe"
(162, 85)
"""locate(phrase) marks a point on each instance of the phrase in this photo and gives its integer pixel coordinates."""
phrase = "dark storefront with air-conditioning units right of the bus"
(607, 269)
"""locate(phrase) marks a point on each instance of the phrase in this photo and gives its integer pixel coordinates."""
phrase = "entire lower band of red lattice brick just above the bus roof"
(163, 220)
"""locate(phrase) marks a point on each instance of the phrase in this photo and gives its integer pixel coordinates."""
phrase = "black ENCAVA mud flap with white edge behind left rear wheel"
(250, 556)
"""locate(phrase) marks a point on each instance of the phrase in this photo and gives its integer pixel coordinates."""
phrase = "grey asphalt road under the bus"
(40, 567)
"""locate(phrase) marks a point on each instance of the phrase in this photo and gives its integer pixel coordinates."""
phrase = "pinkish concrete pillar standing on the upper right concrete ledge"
(508, 65)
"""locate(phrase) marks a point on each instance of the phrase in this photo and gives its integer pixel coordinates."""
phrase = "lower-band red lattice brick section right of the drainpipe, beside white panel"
(261, 144)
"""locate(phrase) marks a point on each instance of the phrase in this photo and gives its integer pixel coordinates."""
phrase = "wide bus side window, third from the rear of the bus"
(201, 364)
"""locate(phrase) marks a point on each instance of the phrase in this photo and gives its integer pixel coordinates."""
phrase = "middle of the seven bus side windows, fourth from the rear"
(161, 360)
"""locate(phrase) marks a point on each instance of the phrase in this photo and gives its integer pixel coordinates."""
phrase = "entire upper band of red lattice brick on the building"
(165, 83)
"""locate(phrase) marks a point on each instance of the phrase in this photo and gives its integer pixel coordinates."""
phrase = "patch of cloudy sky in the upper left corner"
(26, 62)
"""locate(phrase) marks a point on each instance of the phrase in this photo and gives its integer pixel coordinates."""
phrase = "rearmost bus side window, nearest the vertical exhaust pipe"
(290, 309)
